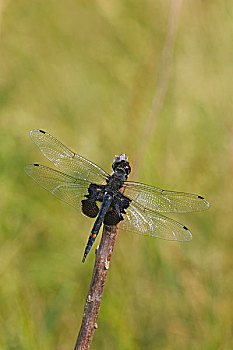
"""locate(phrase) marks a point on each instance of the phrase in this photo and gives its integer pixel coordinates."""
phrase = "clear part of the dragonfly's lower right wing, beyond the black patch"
(149, 223)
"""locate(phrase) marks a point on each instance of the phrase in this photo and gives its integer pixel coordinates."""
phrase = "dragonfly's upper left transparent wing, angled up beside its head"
(66, 160)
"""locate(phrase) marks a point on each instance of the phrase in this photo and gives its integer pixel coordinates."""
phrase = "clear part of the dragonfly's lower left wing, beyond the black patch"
(62, 186)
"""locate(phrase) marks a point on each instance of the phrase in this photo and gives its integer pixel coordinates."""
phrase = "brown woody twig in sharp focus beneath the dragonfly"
(94, 297)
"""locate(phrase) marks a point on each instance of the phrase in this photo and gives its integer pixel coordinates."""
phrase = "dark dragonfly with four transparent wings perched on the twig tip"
(110, 198)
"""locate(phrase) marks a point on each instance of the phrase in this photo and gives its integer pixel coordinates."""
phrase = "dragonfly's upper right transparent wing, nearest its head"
(164, 201)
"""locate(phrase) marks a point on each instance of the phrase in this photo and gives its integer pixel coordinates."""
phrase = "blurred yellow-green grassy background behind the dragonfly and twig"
(87, 72)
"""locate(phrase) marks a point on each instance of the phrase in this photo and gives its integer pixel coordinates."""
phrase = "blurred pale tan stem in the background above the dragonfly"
(162, 81)
